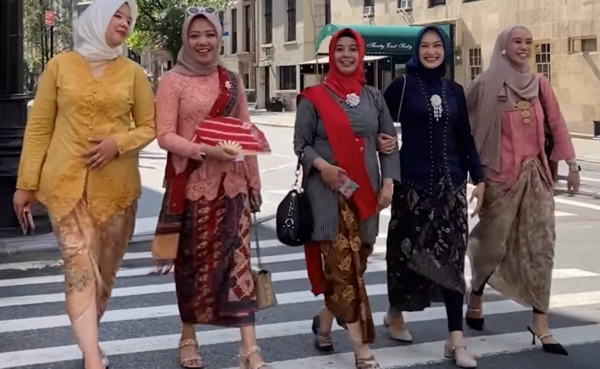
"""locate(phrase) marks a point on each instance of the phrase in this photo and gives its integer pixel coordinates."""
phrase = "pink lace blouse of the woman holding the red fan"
(182, 102)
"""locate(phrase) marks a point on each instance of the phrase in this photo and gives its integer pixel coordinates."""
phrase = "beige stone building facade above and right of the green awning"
(565, 35)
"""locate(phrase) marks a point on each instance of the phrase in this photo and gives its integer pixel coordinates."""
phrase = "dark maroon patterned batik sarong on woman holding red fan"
(212, 270)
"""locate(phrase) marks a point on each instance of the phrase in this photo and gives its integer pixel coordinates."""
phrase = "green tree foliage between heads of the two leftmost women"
(159, 23)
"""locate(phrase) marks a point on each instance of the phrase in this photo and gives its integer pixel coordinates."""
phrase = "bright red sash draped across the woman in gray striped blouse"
(348, 152)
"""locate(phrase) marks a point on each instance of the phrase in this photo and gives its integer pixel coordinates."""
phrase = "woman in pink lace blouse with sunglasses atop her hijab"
(204, 224)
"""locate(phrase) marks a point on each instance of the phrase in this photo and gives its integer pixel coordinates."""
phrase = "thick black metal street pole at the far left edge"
(13, 116)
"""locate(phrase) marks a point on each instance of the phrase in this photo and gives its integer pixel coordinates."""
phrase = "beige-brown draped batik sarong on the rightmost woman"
(514, 239)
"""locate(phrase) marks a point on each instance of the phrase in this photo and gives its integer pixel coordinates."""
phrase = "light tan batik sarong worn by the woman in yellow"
(92, 254)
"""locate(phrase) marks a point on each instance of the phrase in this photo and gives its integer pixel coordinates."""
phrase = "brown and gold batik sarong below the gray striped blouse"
(345, 262)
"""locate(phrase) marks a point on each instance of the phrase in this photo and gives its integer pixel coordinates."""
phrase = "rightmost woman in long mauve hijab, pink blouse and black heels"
(520, 135)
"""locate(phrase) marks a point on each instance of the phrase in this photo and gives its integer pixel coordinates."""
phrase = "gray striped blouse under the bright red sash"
(367, 120)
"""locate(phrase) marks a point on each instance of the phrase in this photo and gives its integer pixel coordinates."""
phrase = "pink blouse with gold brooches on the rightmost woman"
(520, 141)
